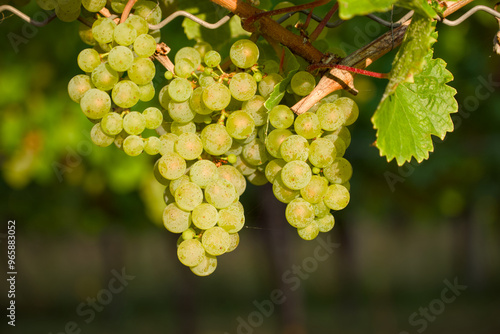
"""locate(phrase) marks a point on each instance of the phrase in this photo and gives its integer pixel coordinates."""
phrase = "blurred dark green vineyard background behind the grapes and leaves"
(83, 212)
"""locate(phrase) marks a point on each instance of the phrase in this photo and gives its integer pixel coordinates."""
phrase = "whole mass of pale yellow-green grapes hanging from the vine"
(213, 132)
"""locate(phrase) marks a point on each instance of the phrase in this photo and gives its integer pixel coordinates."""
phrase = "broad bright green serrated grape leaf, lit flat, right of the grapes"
(406, 119)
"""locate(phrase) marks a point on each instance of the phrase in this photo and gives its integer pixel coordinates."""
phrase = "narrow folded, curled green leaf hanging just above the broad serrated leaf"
(410, 58)
